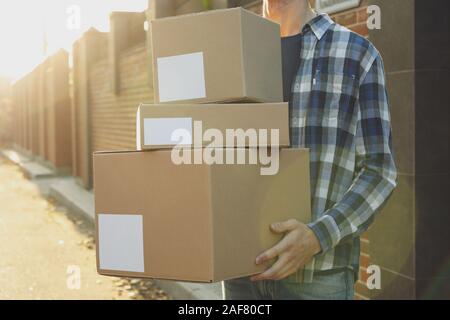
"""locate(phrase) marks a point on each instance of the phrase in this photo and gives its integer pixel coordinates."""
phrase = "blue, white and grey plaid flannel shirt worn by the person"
(339, 110)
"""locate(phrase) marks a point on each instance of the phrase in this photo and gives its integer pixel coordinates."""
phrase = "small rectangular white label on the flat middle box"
(167, 131)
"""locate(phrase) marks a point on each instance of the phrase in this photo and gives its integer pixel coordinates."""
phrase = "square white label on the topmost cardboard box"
(181, 77)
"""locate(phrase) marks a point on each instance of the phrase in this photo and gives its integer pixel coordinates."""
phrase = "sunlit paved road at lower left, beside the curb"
(46, 254)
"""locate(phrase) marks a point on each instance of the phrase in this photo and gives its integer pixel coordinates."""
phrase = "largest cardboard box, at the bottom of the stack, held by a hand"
(192, 222)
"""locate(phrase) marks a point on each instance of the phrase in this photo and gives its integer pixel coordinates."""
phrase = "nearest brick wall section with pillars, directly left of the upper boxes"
(110, 80)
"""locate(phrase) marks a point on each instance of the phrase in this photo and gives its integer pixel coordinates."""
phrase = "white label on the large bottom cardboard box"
(121, 242)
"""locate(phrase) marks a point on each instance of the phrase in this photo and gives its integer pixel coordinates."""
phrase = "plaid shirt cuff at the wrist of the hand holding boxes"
(326, 231)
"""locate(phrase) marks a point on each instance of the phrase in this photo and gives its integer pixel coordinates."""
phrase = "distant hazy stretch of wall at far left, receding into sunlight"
(41, 108)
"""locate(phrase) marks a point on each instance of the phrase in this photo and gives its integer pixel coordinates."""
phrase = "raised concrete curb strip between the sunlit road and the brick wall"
(68, 193)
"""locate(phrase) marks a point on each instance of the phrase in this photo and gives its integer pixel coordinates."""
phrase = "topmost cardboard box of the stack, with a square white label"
(216, 56)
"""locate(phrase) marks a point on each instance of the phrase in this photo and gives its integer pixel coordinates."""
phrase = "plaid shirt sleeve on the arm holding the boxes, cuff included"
(376, 174)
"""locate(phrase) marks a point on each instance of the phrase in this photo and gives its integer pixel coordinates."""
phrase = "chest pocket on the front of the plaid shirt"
(333, 97)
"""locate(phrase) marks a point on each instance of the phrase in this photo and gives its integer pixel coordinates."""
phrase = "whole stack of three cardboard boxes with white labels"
(211, 173)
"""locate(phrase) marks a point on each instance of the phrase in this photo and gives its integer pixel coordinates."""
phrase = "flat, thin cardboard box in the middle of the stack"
(245, 125)
